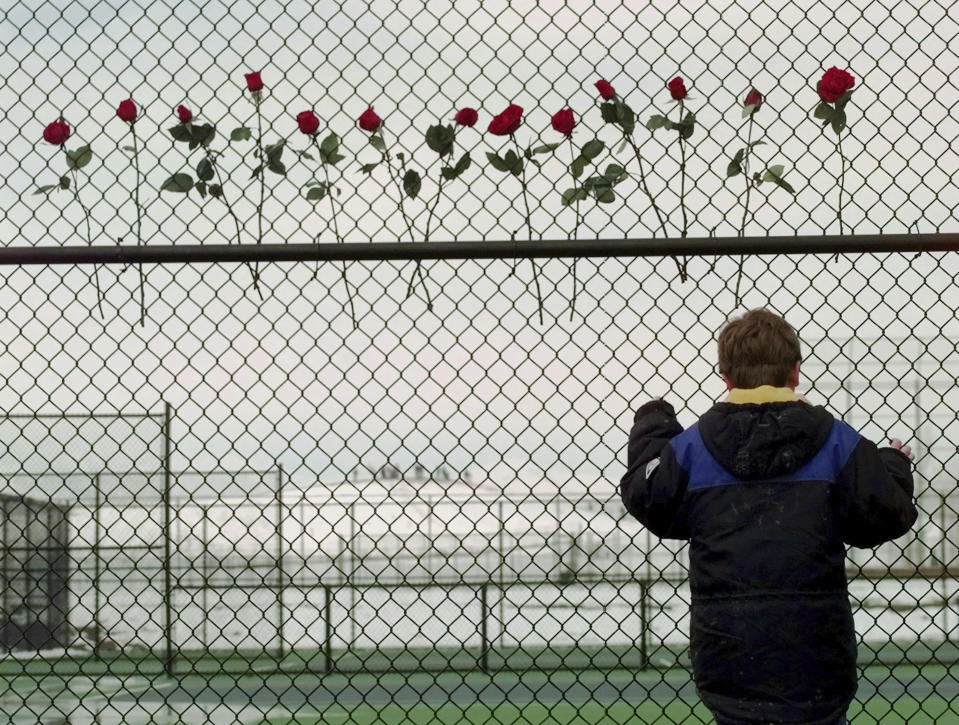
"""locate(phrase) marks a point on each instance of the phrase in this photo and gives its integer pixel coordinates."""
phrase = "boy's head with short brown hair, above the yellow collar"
(759, 348)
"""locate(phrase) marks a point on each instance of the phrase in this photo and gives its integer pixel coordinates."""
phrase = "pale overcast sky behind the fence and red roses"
(478, 383)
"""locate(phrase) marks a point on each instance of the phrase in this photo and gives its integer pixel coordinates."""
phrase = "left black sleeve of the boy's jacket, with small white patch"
(654, 485)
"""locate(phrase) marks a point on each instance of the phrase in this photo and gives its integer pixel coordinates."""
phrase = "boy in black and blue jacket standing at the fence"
(767, 488)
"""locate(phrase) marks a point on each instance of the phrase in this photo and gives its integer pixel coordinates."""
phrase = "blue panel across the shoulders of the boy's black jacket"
(705, 472)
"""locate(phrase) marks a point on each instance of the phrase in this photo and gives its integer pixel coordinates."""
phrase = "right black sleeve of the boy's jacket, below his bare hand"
(874, 491)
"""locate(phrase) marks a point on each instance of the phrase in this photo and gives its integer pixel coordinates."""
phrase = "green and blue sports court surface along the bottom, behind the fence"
(907, 694)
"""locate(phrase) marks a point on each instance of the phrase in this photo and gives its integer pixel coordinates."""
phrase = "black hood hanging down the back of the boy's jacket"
(764, 440)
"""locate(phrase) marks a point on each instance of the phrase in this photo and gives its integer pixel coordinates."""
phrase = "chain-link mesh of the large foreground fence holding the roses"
(250, 509)
